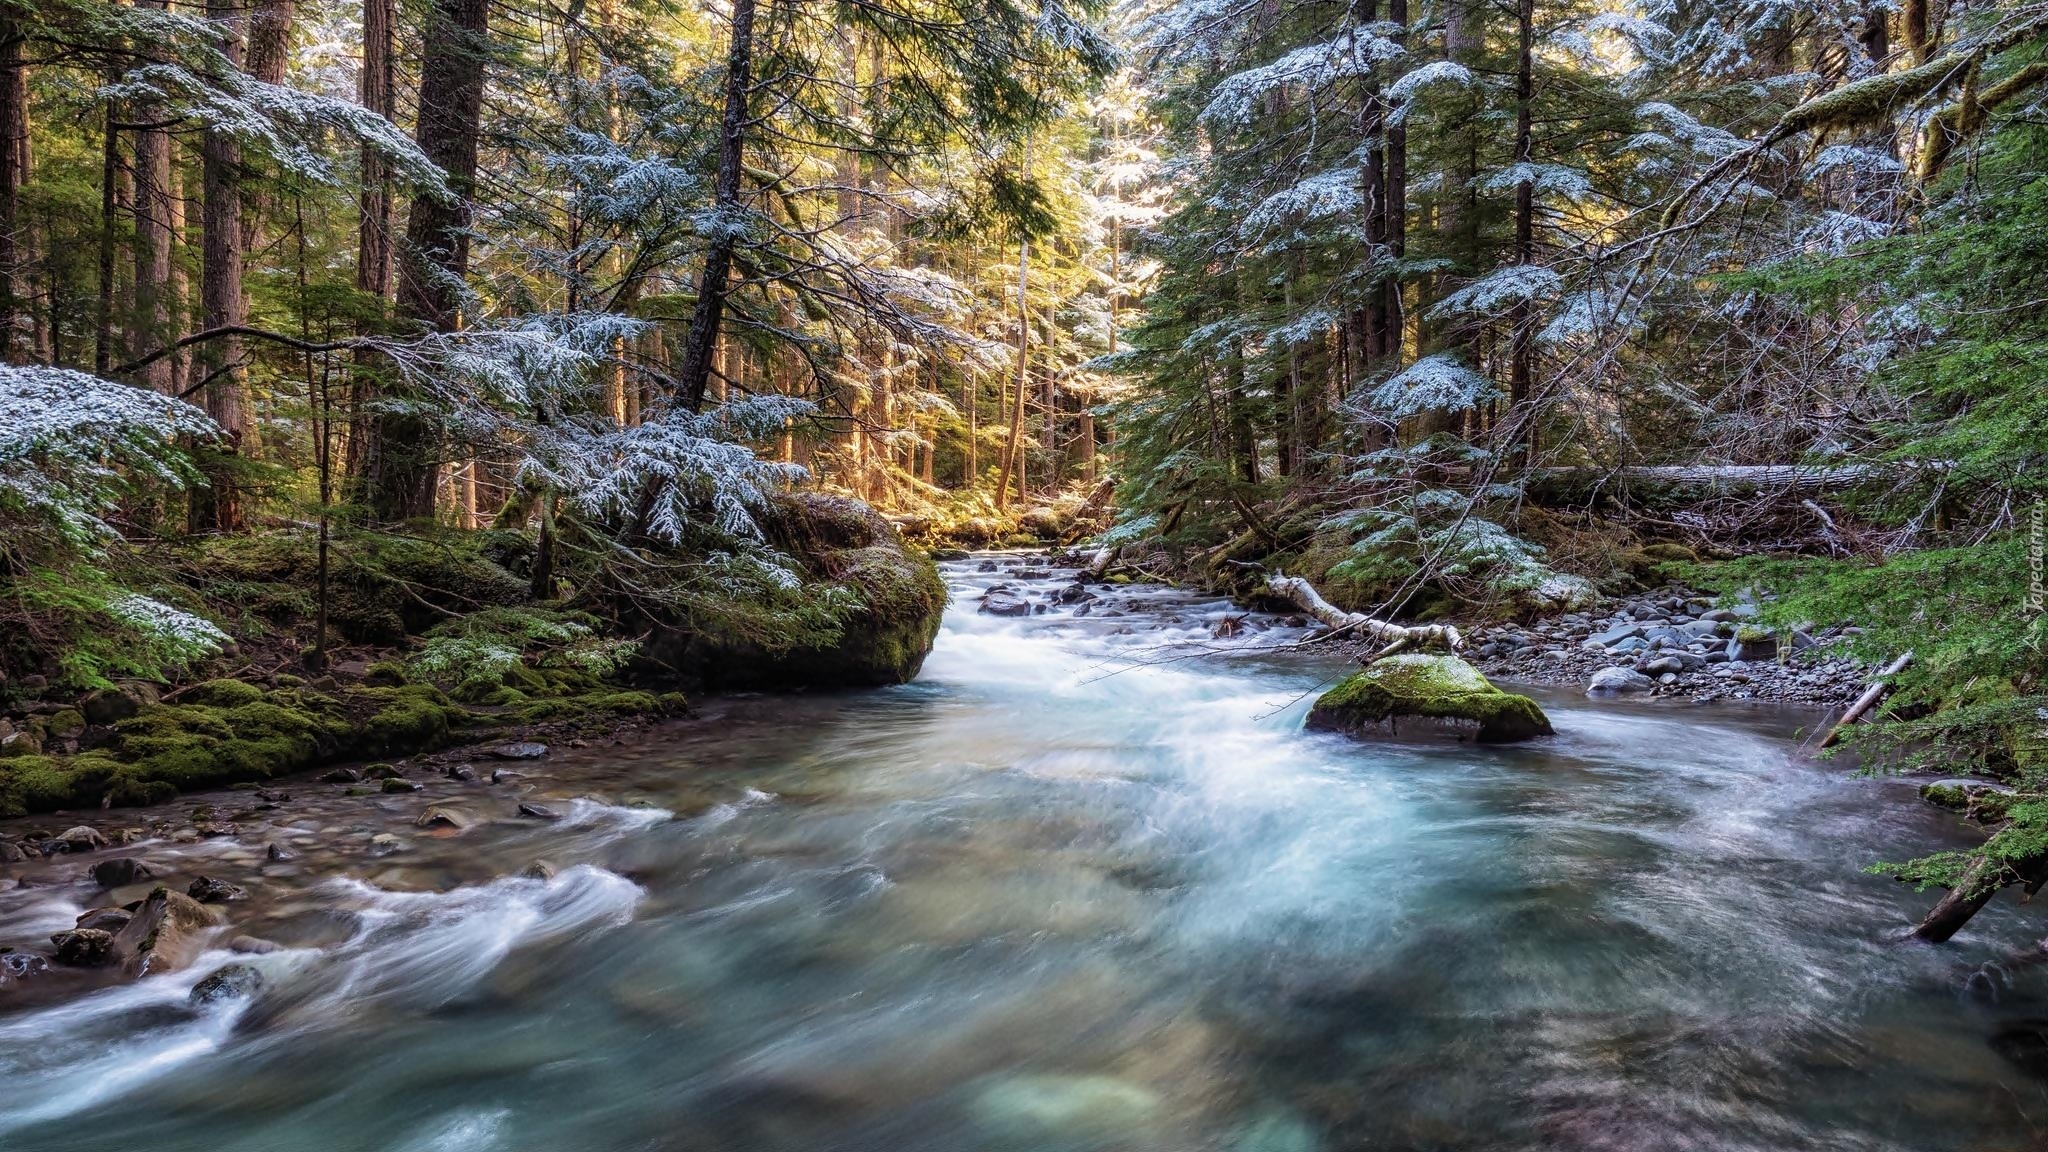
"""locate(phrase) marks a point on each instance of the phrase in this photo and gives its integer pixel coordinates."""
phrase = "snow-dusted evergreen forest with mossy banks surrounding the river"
(392, 376)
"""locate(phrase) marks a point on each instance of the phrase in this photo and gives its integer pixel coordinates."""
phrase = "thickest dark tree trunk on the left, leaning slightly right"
(404, 470)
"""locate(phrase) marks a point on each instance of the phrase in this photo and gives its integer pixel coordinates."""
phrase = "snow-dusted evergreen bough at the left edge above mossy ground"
(71, 446)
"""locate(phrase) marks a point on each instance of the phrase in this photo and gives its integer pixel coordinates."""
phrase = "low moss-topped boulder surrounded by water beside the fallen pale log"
(1426, 696)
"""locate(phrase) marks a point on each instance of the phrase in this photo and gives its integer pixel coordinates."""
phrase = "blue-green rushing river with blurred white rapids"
(1082, 887)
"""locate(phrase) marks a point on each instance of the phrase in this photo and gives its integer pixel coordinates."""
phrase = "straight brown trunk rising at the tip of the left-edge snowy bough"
(218, 507)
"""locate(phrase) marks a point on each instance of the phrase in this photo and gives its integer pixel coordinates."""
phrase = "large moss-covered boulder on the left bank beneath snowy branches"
(865, 614)
